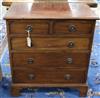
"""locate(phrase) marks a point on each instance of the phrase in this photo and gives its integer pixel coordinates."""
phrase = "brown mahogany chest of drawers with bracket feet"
(50, 45)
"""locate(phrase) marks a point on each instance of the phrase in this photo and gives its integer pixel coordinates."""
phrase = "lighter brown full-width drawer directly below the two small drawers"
(48, 43)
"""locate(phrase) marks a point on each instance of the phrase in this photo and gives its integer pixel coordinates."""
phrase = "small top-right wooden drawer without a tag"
(73, 27)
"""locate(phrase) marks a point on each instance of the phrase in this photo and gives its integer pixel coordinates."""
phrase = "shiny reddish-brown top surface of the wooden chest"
(50, 11)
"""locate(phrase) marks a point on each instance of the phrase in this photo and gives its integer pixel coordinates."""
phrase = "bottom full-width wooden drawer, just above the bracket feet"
(49, 76)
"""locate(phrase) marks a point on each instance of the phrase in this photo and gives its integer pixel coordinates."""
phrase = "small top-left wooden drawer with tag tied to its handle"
(36, 27)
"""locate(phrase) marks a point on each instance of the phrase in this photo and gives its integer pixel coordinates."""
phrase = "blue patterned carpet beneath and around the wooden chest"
(93, 77)
